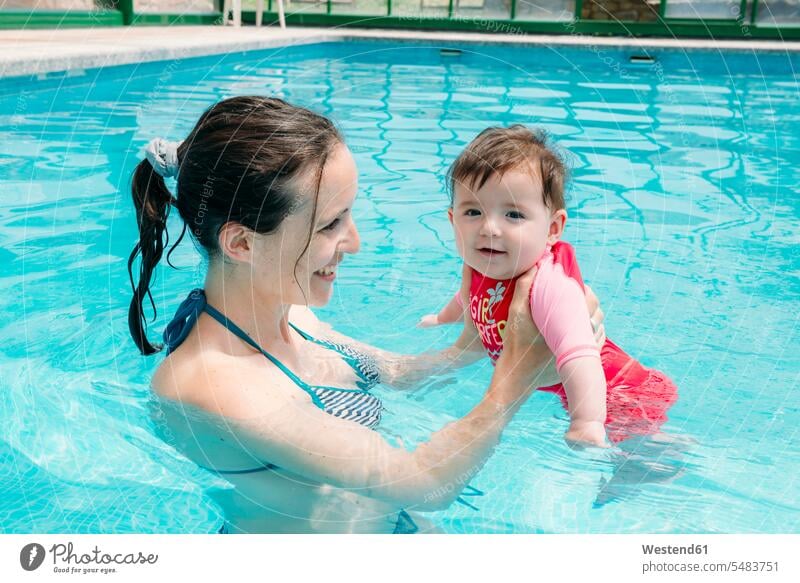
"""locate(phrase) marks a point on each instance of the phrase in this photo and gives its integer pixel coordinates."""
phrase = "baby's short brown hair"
(496, 150)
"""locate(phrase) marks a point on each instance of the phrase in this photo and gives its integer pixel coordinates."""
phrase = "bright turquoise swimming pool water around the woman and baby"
(684, 213)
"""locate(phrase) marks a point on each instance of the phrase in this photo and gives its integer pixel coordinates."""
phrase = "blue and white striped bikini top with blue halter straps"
(357, 404)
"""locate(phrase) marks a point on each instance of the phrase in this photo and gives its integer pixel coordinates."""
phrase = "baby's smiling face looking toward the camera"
(503, 228)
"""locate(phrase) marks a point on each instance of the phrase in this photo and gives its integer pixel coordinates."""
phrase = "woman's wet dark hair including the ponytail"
(237, 165)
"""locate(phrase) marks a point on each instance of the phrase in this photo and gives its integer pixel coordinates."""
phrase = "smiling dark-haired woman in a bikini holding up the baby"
(254, 386)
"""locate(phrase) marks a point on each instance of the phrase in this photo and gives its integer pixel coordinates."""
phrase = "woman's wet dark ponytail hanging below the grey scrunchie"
(152, 200)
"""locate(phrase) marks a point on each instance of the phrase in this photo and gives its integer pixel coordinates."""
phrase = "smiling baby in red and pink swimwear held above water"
(507, 210)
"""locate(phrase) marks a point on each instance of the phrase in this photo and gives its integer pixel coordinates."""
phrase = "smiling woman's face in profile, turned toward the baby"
(309, 279)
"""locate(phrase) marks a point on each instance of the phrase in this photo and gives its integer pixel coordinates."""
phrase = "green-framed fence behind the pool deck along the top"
(775, 19)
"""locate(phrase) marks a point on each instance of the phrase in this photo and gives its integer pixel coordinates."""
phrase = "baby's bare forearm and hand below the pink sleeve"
(585, 385)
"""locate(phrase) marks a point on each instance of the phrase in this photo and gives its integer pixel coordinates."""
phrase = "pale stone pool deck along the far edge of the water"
(35, 52)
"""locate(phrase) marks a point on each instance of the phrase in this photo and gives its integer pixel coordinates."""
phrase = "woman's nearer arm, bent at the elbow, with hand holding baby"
(293, 434)
